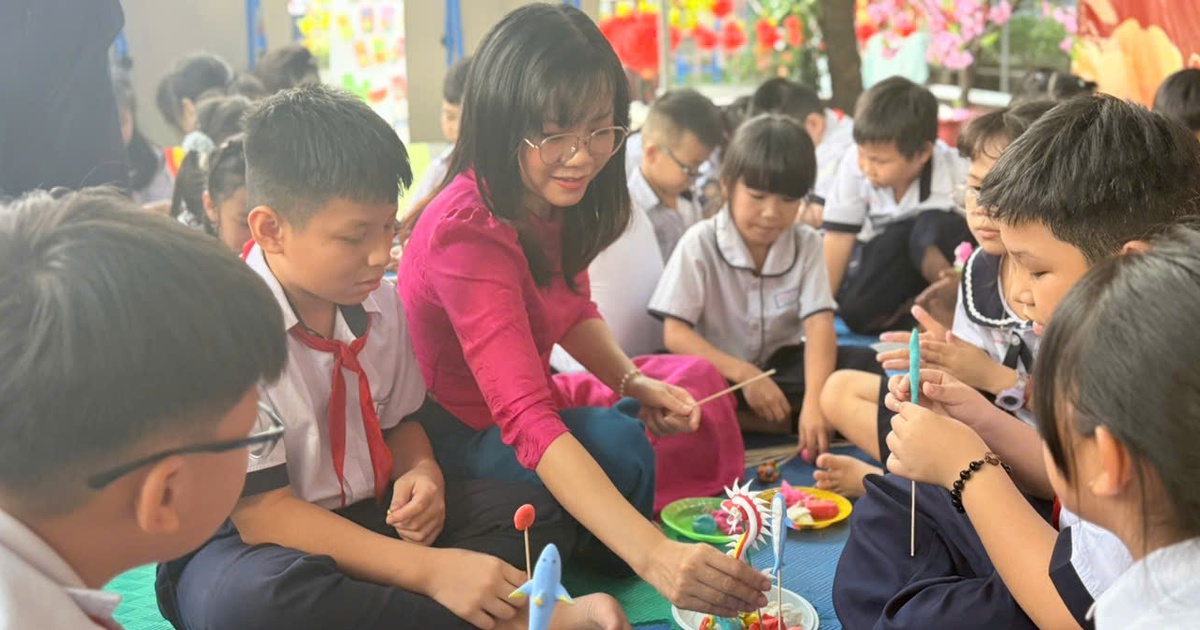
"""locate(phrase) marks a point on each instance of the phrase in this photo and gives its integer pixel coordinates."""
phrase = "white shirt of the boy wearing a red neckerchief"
(301, 398)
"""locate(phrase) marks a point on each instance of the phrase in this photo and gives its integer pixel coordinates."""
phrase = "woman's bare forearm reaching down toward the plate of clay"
(583, 488)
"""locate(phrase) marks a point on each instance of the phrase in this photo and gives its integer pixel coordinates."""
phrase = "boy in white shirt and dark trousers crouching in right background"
(891, 220)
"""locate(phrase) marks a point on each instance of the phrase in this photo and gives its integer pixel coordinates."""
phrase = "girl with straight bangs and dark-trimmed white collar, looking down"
(748, 289)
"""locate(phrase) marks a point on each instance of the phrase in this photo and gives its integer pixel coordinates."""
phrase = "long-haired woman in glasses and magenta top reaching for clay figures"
(494, 275)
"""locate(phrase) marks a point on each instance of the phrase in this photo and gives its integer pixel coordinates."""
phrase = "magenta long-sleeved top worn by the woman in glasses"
(483, 331)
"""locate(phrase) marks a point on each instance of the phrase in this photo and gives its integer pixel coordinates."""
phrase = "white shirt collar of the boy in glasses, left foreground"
(26, 544)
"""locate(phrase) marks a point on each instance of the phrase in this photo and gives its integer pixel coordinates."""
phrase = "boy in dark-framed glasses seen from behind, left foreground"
(128, 398)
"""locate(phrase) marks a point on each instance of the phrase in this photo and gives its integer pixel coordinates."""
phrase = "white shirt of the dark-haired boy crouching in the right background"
(854, 206)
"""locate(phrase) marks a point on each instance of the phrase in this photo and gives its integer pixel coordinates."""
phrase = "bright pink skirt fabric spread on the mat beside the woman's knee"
(691, 465)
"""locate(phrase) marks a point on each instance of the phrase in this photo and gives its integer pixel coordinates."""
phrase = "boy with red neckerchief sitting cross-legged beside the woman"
(351, 523)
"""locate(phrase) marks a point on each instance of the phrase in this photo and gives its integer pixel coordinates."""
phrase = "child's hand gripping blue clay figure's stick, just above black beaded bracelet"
(931, 448)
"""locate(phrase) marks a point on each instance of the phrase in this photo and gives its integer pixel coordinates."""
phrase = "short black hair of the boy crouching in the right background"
(898, 112)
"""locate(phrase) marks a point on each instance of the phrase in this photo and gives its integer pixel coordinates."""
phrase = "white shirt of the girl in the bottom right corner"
(1161, 592)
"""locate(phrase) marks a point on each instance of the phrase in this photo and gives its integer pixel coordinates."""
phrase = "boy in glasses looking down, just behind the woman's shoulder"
(681, 133)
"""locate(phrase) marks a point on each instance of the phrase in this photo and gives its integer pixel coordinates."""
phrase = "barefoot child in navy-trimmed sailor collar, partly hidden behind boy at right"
(991, 349)
